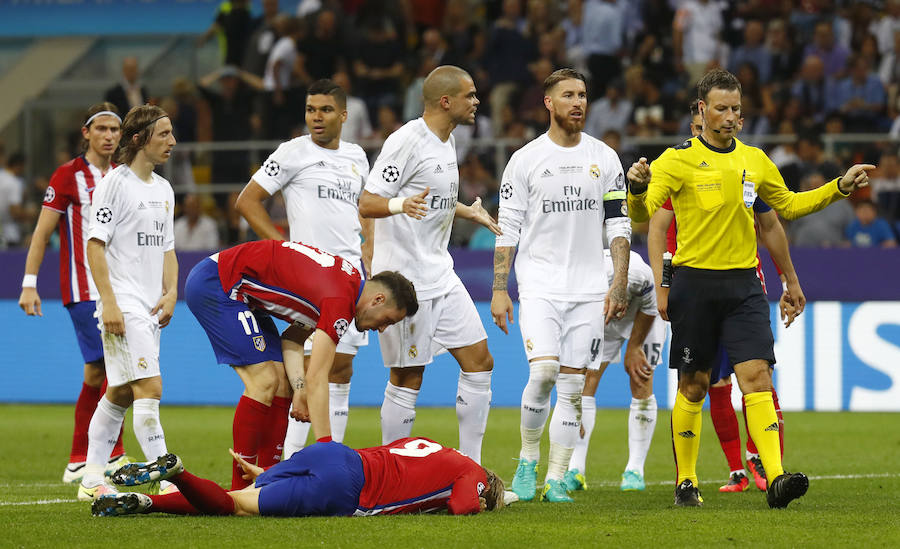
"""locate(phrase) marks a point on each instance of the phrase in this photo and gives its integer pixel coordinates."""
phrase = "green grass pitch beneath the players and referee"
(853, 460)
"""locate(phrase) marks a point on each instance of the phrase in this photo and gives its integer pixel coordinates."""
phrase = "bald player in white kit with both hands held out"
(416, 174)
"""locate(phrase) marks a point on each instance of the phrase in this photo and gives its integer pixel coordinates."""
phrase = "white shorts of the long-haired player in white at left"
(135, 355)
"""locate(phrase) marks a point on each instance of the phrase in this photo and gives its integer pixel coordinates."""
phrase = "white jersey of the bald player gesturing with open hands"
(412, 159)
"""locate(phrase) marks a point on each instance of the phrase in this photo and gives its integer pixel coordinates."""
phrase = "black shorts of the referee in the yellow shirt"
(711, 308)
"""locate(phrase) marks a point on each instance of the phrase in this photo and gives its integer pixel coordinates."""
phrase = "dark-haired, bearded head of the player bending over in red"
(386, 299)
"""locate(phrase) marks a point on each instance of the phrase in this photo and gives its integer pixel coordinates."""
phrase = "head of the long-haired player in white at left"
(146, 136)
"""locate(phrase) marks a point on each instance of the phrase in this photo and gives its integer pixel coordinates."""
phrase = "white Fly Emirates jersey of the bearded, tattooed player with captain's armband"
(561, 191)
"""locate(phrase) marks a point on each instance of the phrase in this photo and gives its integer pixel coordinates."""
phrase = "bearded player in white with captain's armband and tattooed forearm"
(557, 195)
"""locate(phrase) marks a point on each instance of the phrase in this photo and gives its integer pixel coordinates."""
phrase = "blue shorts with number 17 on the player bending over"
(239, 335)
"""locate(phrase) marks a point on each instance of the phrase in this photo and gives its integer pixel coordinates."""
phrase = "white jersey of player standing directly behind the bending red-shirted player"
(321, 189)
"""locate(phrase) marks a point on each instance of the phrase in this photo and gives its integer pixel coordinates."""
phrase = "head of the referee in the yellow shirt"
(719, 101)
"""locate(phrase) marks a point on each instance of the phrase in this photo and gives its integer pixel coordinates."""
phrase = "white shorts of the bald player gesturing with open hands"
(446, 322)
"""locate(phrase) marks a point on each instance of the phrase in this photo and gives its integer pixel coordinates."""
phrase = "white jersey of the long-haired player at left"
(136, 221)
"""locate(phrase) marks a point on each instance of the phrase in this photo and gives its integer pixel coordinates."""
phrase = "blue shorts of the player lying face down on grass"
(324, 479)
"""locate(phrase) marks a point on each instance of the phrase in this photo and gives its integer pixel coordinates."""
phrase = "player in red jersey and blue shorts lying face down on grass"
(410, 475)
